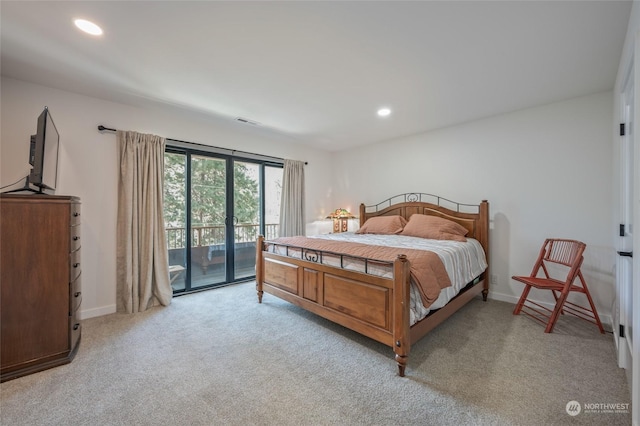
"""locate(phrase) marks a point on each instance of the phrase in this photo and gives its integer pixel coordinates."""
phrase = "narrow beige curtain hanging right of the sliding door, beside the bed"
(292, 203)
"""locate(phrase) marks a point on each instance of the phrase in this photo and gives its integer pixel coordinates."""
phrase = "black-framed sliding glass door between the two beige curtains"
(215, 208)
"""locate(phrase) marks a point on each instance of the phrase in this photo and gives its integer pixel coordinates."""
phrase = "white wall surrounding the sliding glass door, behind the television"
(88, 164)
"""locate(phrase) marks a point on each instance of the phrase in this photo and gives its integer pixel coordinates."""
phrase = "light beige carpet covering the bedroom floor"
(220, 358)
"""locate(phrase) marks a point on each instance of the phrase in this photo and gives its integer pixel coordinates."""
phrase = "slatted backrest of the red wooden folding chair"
(563, 252)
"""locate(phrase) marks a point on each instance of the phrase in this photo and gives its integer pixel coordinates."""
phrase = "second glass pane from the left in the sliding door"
(208, 221)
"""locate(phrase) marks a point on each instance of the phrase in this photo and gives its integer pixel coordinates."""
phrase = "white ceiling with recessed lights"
(318, 71)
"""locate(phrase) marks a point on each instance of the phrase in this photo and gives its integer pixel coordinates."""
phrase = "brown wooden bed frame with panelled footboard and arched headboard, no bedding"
(370, 305)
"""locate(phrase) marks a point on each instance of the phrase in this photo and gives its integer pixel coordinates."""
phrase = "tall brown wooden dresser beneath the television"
(40, 282)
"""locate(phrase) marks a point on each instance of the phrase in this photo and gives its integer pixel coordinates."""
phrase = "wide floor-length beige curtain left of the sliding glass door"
(142, 258)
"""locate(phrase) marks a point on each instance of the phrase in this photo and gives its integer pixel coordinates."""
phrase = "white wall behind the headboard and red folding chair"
(546, 172)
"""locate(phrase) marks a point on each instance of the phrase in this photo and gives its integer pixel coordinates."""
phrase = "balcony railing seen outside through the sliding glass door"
(215, 235)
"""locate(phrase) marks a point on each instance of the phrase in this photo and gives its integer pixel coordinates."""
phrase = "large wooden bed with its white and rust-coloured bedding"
(374, 294)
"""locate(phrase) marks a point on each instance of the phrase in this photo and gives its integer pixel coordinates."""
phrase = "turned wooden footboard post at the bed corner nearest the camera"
(401, 303)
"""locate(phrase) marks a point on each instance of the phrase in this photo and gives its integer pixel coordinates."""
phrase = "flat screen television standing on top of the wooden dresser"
(43, 153)
